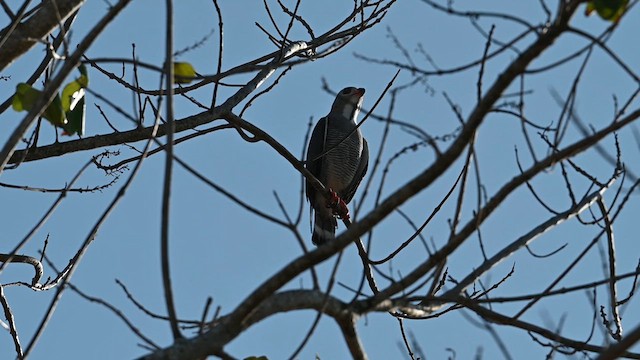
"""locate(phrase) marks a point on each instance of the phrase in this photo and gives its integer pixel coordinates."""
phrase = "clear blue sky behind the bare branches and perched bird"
(218, 250)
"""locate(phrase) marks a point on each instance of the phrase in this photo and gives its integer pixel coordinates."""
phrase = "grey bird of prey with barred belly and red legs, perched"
(338, 156)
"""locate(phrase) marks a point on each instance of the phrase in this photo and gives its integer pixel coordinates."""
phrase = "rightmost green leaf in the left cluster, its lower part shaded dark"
(73, 103)
